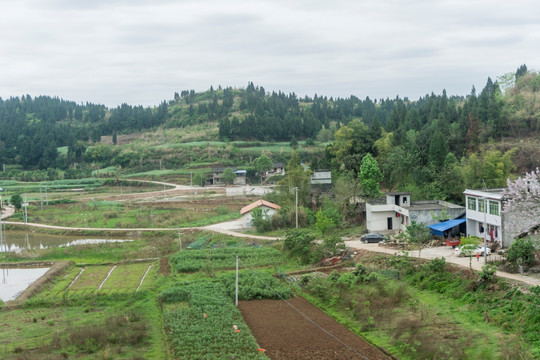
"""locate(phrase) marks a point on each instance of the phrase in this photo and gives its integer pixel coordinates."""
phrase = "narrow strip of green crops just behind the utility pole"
(225, 258)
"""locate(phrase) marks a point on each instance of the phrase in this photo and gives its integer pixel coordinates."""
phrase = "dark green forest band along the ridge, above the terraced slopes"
(31, 129)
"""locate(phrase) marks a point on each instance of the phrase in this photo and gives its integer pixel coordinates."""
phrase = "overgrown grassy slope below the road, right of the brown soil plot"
(427, 311)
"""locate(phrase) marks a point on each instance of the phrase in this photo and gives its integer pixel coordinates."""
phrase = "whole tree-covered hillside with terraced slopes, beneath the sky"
(433, 146)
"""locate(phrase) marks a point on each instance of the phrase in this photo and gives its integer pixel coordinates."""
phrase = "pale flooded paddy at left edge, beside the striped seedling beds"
(13, 281)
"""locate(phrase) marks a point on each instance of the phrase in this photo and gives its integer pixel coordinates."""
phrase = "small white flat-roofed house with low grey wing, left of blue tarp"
(396, 211)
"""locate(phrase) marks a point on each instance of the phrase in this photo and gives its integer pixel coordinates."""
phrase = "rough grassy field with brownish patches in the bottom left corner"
(105, 327)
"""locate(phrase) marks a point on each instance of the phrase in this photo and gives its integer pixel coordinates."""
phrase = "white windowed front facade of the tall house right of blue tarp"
(485, 216)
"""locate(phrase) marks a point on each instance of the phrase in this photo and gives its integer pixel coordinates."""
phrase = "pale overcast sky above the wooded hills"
(141, 51)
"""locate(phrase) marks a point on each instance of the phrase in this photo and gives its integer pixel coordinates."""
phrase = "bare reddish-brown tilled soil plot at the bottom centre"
(286, 334)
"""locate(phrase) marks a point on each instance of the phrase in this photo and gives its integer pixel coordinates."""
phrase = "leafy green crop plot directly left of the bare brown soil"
(202, 323)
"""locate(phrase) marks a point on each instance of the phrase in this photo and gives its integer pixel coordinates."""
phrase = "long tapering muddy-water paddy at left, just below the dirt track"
(15, 241)
